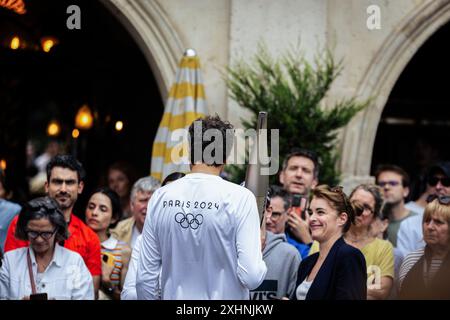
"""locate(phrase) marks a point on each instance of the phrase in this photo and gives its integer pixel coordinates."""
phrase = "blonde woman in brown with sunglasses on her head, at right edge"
(425, 273)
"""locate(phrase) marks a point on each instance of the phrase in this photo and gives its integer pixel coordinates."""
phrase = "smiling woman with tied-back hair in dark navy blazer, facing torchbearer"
(338, 271)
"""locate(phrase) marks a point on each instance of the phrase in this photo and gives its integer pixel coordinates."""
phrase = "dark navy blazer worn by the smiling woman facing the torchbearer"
(342, 276)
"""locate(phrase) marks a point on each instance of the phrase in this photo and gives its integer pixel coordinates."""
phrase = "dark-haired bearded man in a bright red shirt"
(65, 176)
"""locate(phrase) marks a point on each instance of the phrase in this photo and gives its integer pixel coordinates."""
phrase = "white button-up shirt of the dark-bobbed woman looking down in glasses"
(66, 277)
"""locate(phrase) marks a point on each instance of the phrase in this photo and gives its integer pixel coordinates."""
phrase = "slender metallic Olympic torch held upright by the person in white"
(255, 181)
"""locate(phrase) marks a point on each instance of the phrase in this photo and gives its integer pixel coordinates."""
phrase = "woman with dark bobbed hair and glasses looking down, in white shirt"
(44, 270)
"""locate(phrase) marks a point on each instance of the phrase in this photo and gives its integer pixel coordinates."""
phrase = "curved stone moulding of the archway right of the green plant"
(378, 81)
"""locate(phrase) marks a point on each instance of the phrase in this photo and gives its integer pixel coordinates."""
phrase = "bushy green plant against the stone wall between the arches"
(292, 90)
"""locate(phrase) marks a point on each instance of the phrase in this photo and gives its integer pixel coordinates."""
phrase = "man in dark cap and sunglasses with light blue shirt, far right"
(410, 234)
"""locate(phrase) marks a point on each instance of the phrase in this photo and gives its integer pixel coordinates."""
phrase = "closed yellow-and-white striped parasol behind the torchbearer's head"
(186, 103)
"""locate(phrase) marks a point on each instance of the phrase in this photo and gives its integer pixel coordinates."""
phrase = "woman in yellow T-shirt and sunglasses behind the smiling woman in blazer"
(379, 254)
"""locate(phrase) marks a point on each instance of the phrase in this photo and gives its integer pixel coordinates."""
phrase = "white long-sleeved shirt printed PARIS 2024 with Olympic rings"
(202, 234)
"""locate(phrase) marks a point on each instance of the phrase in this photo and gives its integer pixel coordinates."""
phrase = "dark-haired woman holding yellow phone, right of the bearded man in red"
(102, 213)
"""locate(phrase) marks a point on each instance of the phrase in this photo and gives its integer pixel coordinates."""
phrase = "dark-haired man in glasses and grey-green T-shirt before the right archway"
(394, 182)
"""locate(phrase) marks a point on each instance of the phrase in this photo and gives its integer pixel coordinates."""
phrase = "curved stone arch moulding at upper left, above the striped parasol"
(151, 28)
